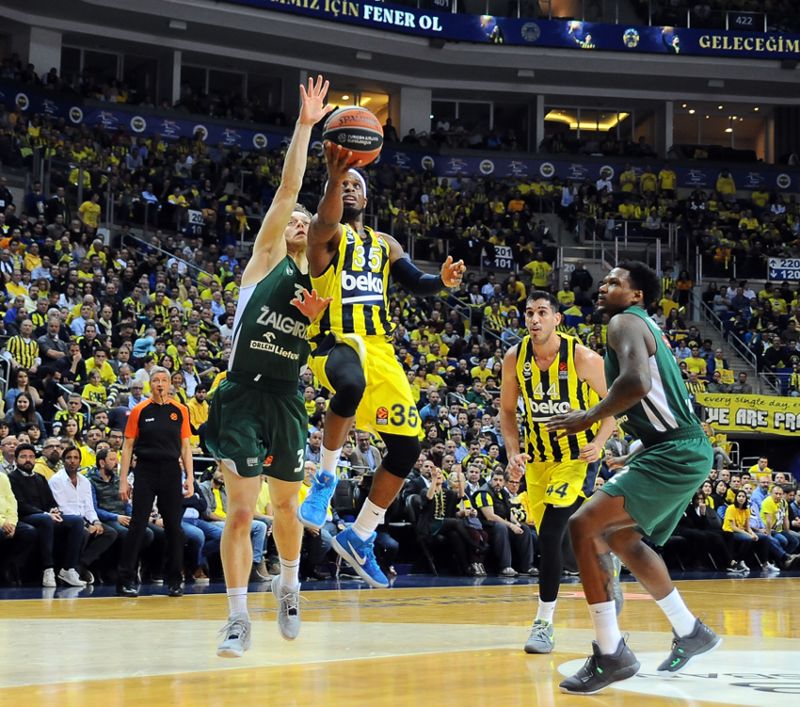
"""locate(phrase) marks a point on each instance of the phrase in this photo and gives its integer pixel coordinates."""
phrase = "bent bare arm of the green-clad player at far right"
(627, 336)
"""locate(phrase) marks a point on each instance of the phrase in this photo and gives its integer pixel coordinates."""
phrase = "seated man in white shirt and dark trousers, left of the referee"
(73, 494)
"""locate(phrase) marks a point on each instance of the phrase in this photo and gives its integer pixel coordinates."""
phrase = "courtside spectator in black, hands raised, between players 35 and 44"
(440, 515)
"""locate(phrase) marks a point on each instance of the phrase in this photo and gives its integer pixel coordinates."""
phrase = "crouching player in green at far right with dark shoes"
(647, 497)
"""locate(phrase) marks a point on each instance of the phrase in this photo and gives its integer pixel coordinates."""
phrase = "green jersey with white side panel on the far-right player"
(666, 411)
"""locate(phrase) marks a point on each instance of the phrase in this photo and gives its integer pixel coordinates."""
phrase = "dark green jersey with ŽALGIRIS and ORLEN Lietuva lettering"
(269, 333)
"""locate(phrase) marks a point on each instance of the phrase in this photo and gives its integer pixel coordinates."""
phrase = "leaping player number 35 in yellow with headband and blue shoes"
(353, 357)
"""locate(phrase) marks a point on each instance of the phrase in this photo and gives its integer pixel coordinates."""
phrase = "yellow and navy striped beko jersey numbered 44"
(552, 392)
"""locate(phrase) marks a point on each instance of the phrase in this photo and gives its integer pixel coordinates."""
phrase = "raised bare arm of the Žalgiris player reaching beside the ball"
(312, 110)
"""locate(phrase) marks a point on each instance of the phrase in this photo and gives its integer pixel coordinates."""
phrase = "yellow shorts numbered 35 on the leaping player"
(388, 404)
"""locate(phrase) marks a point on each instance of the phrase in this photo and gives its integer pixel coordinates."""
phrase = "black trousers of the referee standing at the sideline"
(163, 481)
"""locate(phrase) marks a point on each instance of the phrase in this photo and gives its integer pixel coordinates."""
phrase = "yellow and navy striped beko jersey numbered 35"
(357, 279)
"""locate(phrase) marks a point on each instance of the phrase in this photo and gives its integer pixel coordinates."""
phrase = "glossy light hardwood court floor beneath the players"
(402, 646)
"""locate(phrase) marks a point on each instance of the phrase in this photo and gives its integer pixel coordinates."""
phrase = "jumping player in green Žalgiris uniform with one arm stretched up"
(257, 410)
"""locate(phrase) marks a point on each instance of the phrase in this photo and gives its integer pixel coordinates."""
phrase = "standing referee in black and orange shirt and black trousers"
(158, 434)
